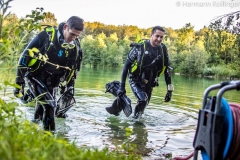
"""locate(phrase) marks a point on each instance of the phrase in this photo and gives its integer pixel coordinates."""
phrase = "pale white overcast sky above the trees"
(140, 13)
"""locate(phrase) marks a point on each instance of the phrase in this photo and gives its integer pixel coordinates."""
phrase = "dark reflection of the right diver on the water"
(129, 135)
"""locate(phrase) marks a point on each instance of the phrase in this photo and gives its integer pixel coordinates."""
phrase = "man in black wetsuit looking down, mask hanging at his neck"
(52, 58)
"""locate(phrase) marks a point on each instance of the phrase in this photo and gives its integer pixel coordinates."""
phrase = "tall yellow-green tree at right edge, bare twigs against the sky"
(222, 39)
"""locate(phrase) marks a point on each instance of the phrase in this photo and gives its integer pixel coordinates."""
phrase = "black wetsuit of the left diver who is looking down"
(62, 64)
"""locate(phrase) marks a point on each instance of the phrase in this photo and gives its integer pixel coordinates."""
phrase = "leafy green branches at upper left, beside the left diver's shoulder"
(12, 35)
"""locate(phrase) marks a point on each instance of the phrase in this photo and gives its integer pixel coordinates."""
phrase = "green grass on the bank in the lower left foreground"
(23, 140)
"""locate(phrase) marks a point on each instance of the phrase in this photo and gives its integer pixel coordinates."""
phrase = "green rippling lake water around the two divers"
(165, 128)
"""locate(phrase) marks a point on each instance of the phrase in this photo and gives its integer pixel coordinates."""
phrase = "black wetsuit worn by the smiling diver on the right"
(144, 79)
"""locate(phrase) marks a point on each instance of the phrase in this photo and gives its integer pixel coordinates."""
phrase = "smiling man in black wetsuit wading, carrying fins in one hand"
(146, 61)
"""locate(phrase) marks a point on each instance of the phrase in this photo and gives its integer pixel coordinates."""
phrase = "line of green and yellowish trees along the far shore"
(211, 51)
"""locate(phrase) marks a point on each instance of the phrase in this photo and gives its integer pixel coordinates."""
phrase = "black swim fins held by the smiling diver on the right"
(122, 102)
